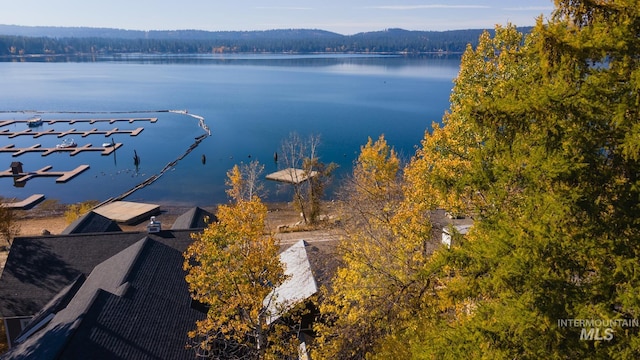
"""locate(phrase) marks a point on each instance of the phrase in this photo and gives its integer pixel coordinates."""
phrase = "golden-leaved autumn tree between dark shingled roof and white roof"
(233, 267)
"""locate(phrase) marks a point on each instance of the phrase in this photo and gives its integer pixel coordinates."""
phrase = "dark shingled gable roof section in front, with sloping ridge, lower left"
(133, 305)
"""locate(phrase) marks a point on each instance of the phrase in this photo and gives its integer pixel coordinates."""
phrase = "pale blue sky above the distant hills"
(341, 16)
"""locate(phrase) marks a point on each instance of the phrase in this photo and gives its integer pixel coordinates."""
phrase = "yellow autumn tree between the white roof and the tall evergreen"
(378, 285)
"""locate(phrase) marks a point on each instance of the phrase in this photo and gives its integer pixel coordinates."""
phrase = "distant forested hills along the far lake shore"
(21, 41)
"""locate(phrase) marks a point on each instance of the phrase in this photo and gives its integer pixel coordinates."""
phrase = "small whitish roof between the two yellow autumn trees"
(300, 285)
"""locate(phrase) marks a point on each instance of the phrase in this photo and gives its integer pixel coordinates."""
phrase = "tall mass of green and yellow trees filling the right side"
(541, 147)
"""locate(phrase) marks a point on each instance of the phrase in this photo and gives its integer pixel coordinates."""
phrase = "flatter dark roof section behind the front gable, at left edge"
(38, 268)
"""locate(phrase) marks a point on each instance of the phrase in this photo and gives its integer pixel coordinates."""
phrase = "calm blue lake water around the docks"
(249, 102)
